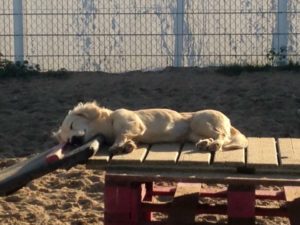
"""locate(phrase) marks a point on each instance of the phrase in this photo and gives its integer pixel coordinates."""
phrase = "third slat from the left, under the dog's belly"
(163, 154)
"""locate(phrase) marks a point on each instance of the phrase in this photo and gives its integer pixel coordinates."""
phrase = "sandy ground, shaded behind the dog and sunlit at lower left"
(259, 104)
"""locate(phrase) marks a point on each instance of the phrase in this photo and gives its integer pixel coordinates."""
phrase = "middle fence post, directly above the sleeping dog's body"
(178, 59)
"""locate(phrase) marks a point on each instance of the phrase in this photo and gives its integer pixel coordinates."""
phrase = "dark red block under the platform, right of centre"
(241, 205)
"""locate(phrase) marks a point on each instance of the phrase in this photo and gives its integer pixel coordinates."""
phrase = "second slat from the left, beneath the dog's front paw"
(136, 156)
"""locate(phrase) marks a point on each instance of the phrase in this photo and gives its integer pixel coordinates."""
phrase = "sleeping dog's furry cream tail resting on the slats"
(237, 140)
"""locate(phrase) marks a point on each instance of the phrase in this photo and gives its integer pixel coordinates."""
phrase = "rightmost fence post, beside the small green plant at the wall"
(280, 37)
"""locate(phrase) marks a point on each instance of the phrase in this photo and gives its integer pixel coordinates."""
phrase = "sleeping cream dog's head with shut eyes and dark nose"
(80, 124)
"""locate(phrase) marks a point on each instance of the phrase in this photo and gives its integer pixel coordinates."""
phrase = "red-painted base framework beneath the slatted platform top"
(123, 203)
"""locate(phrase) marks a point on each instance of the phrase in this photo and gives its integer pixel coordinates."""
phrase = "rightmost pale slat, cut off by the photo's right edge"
(289, 150)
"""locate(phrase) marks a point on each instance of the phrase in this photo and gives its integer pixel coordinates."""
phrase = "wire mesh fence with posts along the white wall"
(123, 35)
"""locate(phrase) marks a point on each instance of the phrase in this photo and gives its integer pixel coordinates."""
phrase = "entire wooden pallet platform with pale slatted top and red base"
(129, 181)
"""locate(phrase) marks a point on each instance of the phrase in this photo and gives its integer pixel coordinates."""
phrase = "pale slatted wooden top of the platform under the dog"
(277, 160)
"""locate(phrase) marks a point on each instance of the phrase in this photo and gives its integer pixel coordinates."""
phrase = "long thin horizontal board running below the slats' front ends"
(144, 174)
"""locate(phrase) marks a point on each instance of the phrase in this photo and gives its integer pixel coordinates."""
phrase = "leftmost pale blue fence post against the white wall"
(18, 30)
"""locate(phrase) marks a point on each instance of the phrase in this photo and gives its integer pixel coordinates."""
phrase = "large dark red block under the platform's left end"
(122, 203)
